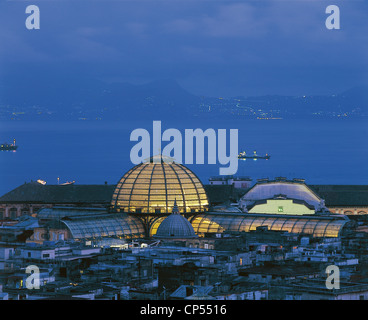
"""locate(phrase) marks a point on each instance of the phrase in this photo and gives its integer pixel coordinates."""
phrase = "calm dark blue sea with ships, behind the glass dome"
(321, 151)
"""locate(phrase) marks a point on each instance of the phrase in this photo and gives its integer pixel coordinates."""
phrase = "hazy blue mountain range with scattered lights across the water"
(68, 96)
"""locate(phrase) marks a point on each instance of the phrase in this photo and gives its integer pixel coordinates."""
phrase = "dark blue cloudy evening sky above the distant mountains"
(216, 48)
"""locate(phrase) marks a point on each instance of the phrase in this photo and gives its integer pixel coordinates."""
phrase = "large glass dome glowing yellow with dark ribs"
(152, 187)
